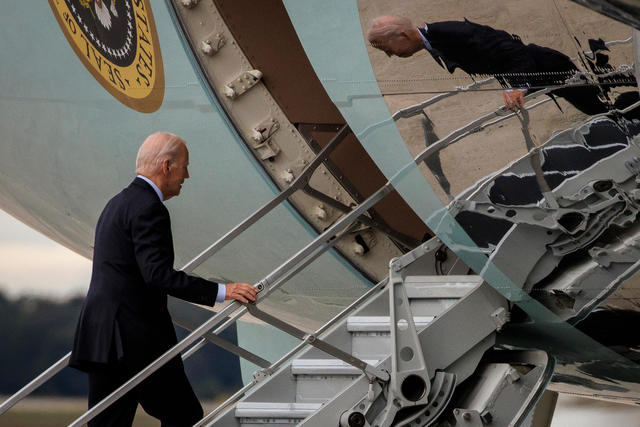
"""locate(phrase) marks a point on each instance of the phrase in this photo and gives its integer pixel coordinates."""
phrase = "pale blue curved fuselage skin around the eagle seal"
(68, 146)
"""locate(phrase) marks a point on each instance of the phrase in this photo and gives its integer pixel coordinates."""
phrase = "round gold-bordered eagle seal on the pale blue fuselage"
(116, 40)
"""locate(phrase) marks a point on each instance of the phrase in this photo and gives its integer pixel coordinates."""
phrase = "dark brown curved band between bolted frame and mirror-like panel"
(294, 85)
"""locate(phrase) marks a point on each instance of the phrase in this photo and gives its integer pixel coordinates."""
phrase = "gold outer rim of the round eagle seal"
(153, 100)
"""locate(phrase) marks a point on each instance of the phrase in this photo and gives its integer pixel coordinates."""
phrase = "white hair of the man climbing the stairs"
(156, 149)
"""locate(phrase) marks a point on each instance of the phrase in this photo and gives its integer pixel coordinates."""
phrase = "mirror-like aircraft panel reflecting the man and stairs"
(368, 87)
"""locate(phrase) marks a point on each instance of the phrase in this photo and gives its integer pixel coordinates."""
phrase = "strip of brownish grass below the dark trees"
(57, 412)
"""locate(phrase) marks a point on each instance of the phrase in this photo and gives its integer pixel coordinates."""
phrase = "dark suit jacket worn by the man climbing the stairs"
(124, 318)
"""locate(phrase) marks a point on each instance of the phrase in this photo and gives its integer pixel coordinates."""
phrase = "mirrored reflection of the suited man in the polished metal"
(482, 50)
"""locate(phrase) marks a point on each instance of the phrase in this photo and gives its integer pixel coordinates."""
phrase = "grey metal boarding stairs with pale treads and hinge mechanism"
(442, 327)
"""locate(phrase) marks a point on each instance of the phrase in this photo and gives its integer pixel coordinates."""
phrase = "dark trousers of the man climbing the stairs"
(166, 395)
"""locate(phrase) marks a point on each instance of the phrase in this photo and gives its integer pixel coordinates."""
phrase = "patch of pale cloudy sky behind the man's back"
(32, 264)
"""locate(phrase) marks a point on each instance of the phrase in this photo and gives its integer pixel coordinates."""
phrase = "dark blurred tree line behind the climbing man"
(36, 332)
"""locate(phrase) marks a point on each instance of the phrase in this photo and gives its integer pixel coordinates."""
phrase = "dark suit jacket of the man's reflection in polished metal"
(479, 49)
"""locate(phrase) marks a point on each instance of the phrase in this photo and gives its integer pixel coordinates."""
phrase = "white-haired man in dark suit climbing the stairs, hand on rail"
(124, 324)
